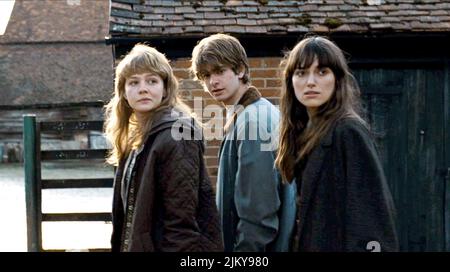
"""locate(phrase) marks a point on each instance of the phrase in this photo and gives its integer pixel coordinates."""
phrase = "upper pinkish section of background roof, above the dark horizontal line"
(57, 21)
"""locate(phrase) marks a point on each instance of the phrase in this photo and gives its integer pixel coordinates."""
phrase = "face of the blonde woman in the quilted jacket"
(144, 92)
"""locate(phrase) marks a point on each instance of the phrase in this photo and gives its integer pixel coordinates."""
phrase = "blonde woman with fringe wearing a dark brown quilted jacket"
(163, 198)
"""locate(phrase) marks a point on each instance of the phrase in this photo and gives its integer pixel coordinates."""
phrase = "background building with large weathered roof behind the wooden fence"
(53, 63)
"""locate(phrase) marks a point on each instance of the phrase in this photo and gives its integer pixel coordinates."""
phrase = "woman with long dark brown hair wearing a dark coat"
(344, 202)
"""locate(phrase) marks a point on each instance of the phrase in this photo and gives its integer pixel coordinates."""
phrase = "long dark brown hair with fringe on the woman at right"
(297, 138)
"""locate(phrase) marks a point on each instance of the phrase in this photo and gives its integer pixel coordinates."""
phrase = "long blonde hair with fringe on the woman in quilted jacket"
(121, 127)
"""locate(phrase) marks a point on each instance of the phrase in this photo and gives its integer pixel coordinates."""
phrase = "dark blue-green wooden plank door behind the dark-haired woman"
(406, 112)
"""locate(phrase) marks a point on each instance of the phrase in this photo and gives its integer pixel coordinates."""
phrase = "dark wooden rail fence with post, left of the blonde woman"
(34, 184)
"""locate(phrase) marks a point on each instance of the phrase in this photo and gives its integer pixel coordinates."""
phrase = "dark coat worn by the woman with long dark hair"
(344, 200)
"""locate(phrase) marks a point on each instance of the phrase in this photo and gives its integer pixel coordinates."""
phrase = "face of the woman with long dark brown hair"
(313, 86)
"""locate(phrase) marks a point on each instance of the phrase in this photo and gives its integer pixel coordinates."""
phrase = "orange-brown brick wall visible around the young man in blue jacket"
(264, 74)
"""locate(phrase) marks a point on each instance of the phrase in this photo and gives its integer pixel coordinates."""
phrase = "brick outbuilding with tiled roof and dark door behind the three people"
(398, 50)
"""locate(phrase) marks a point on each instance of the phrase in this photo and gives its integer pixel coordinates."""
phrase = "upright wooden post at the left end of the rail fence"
(32, 183)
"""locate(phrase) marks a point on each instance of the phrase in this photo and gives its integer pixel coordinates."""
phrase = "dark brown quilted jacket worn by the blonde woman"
(174, 207)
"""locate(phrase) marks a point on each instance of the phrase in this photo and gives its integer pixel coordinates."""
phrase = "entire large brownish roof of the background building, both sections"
(53, 52)
